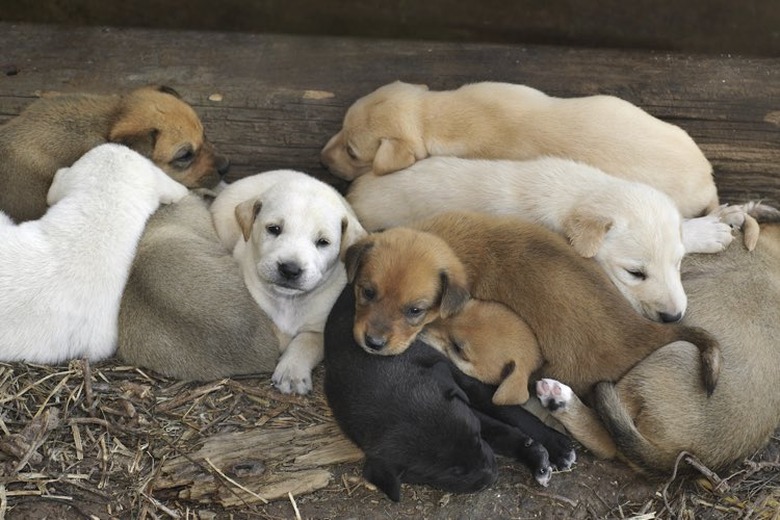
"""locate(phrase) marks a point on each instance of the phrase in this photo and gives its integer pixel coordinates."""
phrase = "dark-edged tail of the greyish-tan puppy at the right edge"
(628, 439)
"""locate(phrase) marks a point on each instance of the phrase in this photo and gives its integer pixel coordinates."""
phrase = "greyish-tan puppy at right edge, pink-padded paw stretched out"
(655, 411)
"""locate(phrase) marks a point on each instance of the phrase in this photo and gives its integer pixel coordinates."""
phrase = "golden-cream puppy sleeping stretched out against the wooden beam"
(399, 124)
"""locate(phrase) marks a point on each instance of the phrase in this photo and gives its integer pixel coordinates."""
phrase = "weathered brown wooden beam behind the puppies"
(267, 119)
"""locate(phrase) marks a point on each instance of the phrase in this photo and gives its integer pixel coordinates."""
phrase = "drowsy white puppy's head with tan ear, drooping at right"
(638, 242)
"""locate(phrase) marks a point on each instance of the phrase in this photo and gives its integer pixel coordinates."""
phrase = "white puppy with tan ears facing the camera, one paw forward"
(288, 232)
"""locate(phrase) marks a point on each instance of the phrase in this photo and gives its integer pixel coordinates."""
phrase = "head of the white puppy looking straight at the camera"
(296, 233)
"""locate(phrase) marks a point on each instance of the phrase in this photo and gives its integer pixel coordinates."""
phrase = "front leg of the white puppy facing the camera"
(293, 371)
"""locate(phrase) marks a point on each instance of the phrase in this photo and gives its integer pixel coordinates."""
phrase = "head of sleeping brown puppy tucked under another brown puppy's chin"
(489, 342)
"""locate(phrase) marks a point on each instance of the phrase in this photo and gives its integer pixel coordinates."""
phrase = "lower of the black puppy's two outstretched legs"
(511, 442)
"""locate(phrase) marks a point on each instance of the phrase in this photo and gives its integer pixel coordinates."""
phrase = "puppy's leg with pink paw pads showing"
(579, 420)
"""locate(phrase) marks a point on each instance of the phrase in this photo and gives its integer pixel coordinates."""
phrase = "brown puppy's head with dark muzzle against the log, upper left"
(157, 123)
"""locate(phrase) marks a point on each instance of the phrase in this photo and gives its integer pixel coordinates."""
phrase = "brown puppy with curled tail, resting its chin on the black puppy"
(406, 278)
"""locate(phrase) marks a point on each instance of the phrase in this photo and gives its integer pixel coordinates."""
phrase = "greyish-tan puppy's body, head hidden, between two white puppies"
(186, 312)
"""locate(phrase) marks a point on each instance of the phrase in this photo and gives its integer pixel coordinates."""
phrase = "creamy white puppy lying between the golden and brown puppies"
(630, 228)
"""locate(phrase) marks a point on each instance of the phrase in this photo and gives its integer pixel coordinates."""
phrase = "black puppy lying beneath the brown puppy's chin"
(413, 420)
